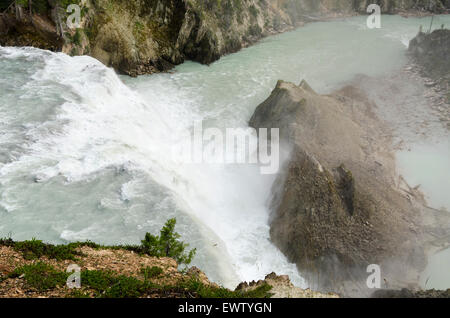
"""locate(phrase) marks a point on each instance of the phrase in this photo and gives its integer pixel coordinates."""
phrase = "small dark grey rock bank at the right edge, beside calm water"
(431, 51)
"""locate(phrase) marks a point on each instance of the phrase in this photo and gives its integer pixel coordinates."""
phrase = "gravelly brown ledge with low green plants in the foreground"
(32, 269)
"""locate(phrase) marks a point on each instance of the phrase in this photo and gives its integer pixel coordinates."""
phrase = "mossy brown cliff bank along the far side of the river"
(146, 36)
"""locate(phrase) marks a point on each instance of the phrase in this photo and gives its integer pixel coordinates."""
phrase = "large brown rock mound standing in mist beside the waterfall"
(335, 208)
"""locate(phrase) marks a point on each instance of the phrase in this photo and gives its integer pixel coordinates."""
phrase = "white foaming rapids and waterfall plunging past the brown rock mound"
(102, 143)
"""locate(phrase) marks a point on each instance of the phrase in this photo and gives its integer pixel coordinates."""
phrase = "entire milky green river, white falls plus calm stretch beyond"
(86, 154)
